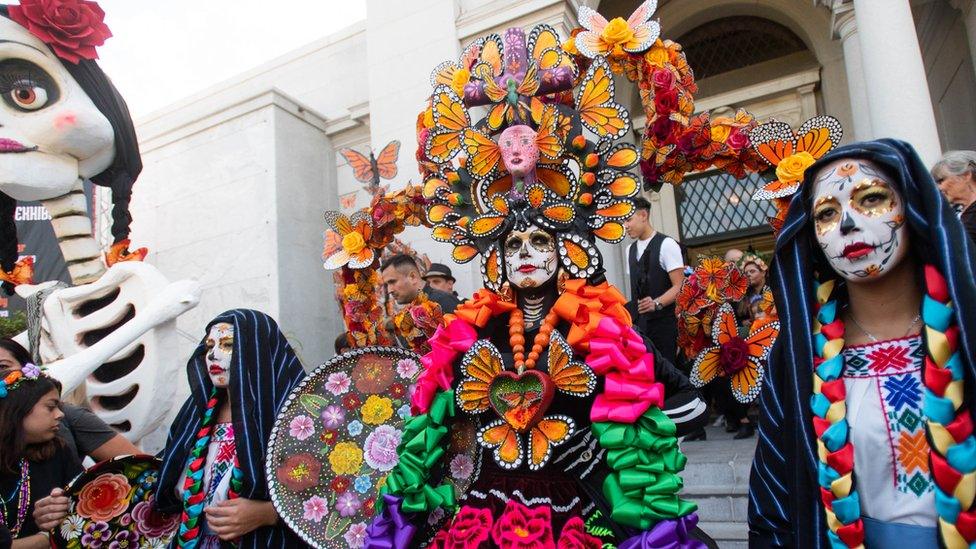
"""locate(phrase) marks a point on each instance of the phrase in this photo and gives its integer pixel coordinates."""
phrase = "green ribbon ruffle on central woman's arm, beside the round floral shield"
(420, 450)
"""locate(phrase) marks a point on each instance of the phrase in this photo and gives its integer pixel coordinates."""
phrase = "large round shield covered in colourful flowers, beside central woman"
(335, 441)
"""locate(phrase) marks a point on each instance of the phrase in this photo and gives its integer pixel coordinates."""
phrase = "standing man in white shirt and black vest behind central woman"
(656, 270)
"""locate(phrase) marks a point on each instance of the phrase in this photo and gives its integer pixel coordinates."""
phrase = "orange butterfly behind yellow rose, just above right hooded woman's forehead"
(775, 141)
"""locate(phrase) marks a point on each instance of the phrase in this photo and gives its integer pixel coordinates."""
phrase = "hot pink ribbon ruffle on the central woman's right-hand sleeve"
(618, 353)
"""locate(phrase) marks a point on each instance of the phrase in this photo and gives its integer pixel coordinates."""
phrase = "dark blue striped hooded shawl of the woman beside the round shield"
(264, 370)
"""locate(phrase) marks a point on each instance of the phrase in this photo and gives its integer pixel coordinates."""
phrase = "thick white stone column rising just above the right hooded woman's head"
(894, 75)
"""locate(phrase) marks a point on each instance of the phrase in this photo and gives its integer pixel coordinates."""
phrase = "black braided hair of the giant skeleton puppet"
(119, 176)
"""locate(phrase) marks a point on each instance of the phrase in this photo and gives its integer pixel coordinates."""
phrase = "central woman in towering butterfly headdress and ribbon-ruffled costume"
(564, 398)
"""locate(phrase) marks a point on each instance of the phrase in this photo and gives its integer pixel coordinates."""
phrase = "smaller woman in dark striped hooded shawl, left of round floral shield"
(214, 462)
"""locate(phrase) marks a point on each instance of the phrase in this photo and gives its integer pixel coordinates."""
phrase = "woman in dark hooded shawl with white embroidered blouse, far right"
(865, 429)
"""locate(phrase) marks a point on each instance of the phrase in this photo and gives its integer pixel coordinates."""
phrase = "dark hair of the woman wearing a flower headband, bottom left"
(13, 409)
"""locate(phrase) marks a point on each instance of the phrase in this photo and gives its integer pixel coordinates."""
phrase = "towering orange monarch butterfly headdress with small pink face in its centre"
(579, 189)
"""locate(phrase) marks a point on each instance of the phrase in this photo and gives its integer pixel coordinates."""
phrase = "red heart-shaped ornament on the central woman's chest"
(521, 399)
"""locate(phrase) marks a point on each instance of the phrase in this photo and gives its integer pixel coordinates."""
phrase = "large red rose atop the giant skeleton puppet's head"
(72, 28)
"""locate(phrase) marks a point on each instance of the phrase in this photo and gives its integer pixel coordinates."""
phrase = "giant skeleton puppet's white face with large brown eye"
(50, 131)
